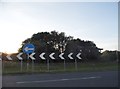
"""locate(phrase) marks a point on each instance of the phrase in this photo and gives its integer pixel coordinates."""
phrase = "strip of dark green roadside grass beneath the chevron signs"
(15, 67)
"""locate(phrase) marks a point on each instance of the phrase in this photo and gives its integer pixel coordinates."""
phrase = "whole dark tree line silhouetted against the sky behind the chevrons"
(54, 41)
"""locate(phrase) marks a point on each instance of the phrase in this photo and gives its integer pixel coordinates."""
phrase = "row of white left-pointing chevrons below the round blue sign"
(43, 57)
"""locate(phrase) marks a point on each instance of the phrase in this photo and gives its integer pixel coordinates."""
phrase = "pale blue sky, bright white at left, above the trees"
(94, 21)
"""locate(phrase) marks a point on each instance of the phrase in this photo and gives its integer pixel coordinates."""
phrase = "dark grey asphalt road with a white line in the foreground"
(76, 79)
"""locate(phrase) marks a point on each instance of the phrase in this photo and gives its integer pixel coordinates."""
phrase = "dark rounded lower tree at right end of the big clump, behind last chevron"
(88, 49)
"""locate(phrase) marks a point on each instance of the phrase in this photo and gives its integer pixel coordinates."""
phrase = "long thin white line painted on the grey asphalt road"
(57, 80)
